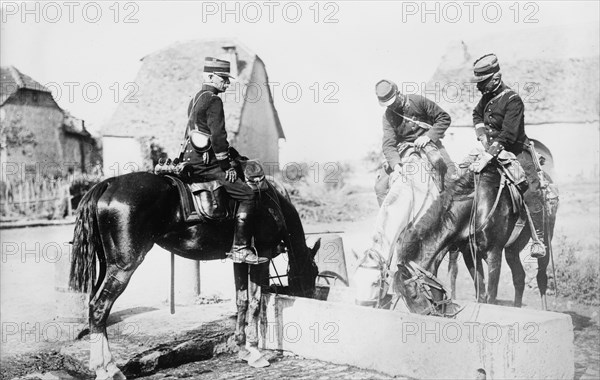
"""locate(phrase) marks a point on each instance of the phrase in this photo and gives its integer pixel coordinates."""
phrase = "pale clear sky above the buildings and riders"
(88, 53)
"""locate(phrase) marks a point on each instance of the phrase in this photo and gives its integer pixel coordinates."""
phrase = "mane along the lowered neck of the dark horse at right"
(438, 214)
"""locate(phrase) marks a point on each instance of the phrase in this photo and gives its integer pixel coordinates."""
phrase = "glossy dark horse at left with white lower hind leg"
(120, 219)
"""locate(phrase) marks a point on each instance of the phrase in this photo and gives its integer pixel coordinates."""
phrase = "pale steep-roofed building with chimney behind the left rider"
(155, 115)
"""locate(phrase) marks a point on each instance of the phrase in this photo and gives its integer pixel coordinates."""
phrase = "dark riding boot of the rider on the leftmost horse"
(242, 250)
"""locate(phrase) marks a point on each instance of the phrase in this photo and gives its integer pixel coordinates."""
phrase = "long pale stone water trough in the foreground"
(506, 343)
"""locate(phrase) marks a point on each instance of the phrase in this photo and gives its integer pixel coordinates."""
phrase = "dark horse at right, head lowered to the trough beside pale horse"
(464, 217)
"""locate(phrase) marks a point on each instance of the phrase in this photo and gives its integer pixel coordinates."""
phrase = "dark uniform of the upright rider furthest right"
(500, 116)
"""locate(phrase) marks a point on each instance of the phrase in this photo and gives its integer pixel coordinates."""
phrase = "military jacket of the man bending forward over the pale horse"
(397, 130)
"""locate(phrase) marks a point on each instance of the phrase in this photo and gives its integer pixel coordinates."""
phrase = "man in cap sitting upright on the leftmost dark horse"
(209, 157)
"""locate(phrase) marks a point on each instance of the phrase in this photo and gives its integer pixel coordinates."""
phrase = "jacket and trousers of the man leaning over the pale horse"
(396, 130)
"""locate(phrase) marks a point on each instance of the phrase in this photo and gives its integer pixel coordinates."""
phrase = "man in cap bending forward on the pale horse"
(410, 119)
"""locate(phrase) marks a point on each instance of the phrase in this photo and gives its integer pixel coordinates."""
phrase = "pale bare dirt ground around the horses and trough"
(29, 343)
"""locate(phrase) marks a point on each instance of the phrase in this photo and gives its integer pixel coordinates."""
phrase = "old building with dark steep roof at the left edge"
(36, 130)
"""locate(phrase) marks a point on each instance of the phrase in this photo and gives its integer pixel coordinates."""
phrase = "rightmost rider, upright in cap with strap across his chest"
(499, 120)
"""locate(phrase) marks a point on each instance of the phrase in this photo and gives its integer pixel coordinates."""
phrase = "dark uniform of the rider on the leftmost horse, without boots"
(206, 115)
